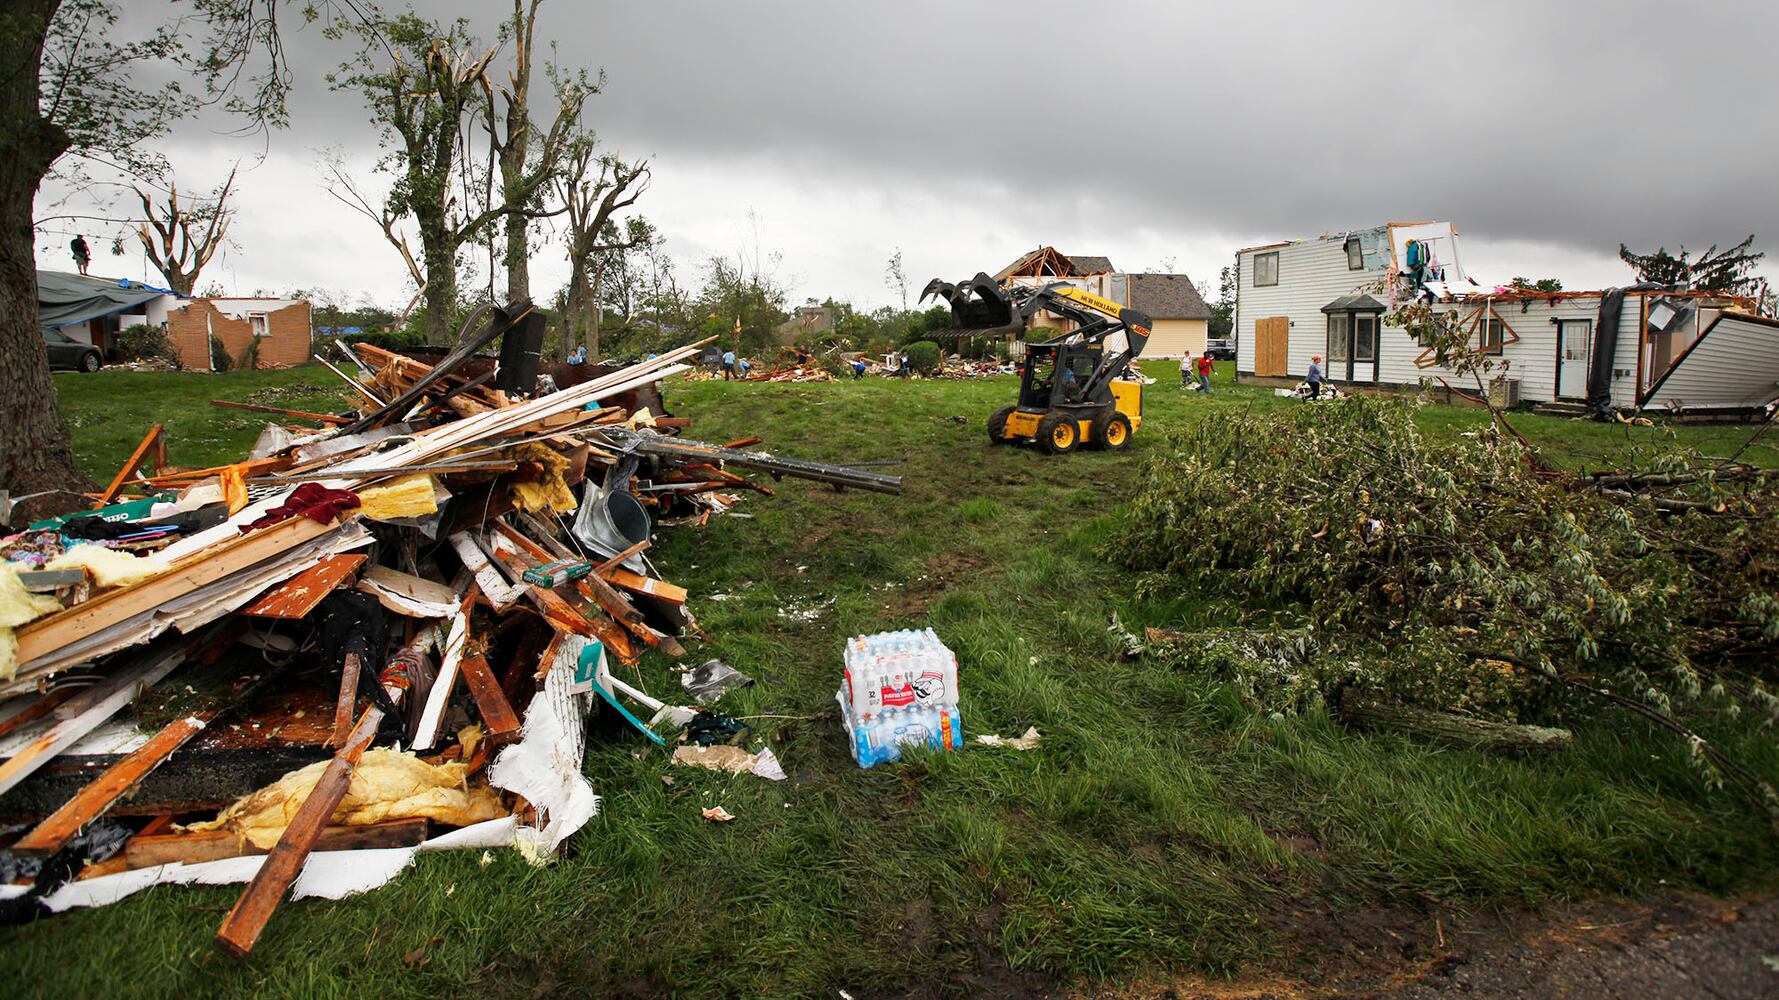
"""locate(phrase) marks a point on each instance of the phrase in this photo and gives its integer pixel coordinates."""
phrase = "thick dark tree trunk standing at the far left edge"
(35, 448)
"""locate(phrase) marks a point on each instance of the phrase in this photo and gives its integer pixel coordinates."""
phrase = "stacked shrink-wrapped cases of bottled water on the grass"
(899, 688)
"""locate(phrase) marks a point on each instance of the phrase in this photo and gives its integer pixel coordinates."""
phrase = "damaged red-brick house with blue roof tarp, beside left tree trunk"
(97, 310)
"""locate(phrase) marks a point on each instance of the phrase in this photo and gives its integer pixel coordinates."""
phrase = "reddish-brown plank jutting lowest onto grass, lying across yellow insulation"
(243, 926)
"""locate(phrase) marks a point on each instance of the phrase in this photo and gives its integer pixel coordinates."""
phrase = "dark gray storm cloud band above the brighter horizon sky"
(1574, 124)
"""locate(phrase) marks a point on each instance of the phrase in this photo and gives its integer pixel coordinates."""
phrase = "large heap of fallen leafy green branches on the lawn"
(1458, 577)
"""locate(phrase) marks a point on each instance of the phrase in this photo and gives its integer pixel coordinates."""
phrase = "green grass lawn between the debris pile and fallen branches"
(1161, 825)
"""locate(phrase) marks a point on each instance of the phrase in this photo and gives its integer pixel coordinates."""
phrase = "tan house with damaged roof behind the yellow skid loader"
(1173, 303)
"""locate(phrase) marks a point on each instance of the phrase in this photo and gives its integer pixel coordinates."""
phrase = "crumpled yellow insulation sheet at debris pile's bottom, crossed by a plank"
(389, 786)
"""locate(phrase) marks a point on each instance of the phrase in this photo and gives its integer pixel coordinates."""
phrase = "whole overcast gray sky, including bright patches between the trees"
(1152, 133)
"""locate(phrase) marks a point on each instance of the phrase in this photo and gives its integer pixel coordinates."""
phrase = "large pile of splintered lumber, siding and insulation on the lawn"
(380, 634)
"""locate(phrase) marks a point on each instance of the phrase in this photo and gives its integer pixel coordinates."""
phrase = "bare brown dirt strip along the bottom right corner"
(1670, 948)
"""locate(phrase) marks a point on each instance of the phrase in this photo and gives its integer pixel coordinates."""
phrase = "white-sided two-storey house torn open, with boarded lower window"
(1639, 348)
